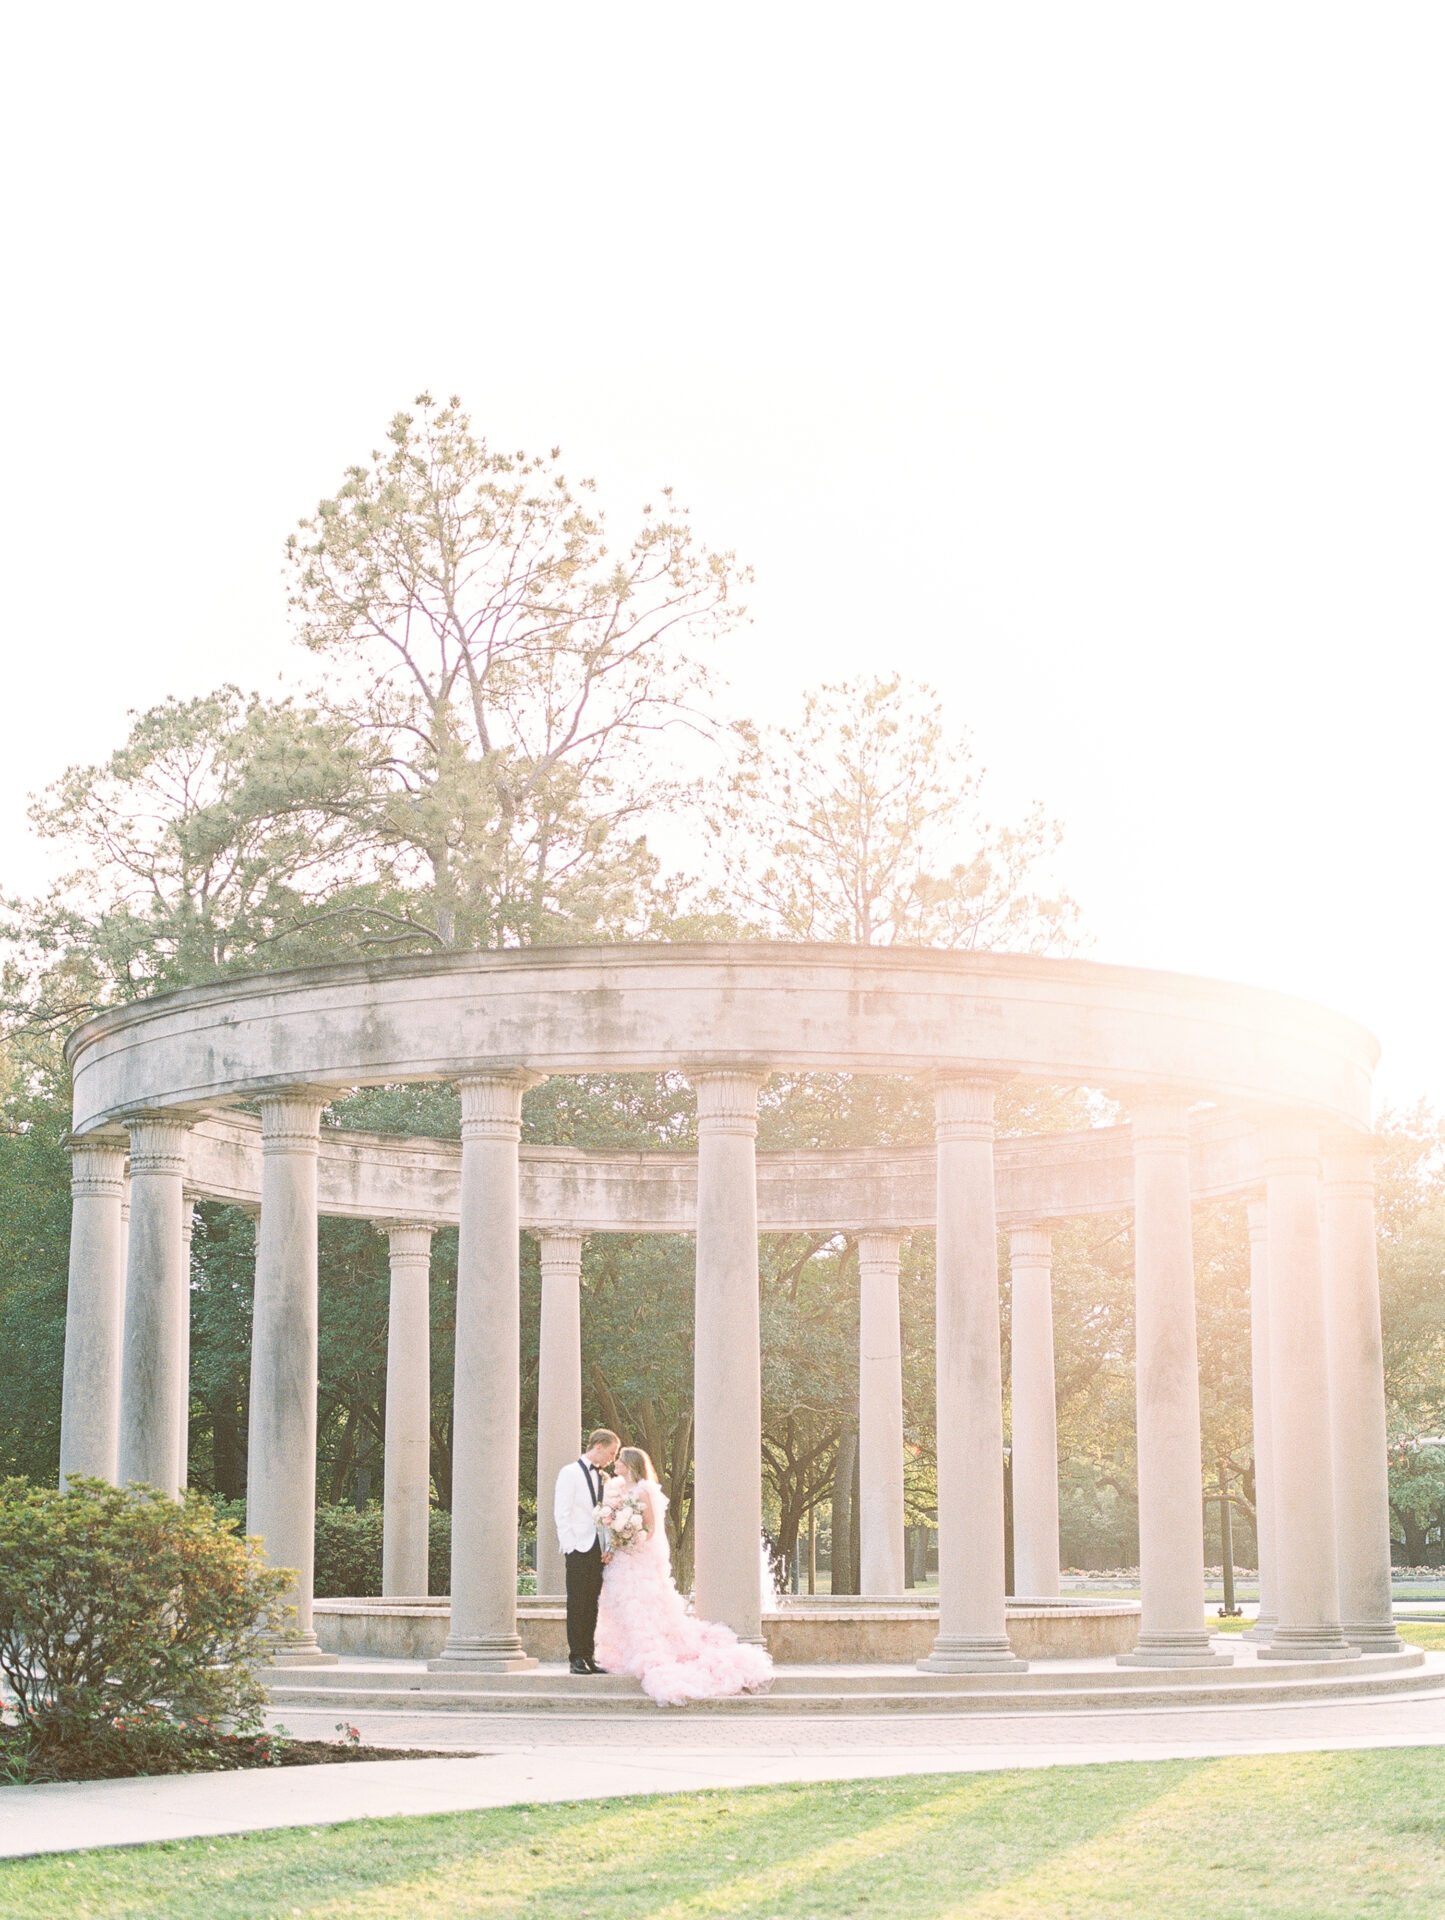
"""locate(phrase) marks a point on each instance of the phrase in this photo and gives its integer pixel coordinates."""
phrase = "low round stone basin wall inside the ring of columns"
(845, 1631)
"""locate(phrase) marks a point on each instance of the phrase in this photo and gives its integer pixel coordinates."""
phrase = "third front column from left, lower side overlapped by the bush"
(281, 1479)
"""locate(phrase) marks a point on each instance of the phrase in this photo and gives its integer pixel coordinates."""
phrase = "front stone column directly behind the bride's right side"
(728, 1353)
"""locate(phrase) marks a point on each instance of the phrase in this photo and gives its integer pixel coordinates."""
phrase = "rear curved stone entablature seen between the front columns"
(389, 1176)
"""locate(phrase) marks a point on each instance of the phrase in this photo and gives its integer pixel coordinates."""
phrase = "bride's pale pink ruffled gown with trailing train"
(646, 1631)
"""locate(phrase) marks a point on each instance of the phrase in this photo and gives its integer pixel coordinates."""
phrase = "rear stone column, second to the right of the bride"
(1035, 1418)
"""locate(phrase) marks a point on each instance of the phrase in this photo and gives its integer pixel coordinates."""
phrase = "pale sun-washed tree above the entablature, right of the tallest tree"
(863, 825)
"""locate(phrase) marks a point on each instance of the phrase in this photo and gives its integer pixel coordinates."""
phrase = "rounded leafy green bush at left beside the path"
(118, 1604)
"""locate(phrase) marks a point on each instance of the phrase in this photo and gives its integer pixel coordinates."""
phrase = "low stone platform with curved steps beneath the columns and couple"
(396, 1687)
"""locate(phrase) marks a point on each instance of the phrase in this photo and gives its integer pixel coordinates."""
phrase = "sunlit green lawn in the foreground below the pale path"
(1308, 1836)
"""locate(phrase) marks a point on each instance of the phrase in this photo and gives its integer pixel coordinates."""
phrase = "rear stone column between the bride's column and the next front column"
(880, 1416)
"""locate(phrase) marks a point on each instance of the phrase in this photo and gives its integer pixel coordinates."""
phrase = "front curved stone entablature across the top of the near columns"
(644, 1009)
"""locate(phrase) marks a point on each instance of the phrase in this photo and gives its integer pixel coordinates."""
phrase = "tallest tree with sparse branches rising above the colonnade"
(513, 671)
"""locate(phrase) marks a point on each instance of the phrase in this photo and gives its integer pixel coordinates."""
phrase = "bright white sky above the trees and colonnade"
(1081, 360)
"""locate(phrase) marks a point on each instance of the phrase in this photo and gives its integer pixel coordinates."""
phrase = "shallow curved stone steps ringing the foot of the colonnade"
(615, 1698)
